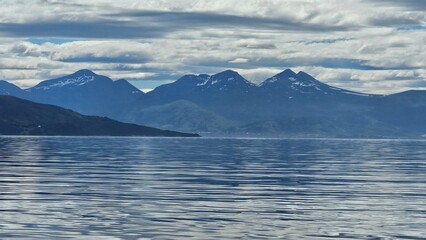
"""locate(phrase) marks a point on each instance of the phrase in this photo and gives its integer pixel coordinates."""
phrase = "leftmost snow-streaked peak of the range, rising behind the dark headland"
(85, 92)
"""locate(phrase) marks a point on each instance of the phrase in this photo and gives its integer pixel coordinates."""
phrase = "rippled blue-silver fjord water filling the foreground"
(163, 188)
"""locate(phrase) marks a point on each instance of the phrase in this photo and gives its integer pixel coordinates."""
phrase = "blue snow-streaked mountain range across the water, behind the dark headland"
(226, 104)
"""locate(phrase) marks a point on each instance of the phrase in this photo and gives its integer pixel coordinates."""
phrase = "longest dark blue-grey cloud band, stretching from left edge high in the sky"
(152, 24)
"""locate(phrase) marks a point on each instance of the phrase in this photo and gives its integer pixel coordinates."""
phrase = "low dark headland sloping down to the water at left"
(22, 117)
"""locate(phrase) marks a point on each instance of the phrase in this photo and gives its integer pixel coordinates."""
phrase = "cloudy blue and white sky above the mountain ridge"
(372, 46)
